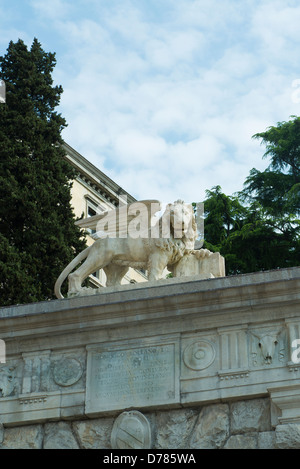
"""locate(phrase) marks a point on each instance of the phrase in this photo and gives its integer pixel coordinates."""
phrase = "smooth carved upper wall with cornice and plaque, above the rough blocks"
(205, 356)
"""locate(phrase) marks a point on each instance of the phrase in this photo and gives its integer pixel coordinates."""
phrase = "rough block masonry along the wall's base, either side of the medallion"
(231, 425)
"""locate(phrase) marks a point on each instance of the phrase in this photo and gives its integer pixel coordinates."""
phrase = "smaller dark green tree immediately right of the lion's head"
(241, 234)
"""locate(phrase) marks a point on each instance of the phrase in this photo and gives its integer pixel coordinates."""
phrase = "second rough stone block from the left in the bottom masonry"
(59, 436)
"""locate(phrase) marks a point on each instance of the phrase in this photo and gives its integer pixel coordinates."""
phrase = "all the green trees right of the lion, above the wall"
(259, 229)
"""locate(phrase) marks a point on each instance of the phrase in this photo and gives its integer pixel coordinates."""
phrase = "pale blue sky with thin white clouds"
(164, 95)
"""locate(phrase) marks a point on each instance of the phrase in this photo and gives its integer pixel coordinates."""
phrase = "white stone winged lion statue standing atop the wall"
(161, 245)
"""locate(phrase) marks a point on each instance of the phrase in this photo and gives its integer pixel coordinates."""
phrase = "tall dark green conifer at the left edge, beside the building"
(37, 232)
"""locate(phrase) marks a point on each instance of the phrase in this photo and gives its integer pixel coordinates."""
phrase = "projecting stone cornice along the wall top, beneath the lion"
(249, 297)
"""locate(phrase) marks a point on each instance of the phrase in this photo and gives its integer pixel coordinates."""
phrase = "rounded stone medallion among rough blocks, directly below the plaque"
(131, 430)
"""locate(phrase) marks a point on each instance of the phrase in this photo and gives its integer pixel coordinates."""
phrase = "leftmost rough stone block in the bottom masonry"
(25, 437)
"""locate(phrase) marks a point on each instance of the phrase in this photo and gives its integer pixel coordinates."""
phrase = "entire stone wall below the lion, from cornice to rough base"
(177, 364)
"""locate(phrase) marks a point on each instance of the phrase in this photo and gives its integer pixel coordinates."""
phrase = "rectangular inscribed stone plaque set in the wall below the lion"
(132, 375)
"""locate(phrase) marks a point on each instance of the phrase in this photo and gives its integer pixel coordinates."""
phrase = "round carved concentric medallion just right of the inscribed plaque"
(199, 355)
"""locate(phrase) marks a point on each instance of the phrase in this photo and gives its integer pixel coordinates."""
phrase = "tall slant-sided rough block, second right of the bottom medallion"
(212, 428)
